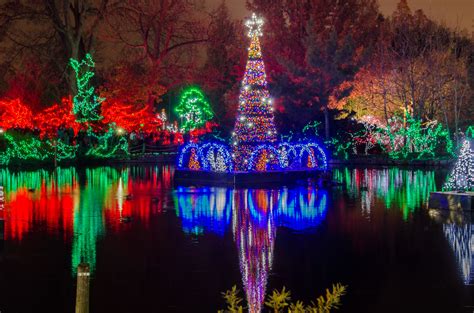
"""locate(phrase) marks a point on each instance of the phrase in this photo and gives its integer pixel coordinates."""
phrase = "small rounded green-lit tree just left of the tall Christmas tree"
(194, 109)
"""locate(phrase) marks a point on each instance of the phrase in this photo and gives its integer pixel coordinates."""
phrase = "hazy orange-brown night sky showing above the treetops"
(453, 12)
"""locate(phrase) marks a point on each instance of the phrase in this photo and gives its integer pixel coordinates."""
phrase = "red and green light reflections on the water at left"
(78, 204)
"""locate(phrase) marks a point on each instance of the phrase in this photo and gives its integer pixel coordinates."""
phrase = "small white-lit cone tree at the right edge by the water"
(462, 176)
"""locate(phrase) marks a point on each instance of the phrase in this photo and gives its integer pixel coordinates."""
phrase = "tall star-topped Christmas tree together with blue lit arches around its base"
(254, 146)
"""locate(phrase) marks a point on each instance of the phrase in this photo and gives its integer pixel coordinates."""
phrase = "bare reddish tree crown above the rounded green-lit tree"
(160, 34)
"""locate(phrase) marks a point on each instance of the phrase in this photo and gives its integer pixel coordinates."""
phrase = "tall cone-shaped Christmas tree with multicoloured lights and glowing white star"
(255, 120)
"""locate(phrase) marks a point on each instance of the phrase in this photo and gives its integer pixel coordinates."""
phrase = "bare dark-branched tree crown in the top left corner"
(51, 29)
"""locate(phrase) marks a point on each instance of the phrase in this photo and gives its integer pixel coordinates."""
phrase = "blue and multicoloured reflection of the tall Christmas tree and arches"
(256, 213)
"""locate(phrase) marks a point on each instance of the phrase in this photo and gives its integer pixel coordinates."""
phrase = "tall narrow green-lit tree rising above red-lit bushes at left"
(86, 102)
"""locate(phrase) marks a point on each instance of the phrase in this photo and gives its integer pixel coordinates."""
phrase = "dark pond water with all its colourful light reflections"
(167, 248)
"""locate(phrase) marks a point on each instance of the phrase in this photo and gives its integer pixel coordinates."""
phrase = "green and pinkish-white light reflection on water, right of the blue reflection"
(408, 189)
